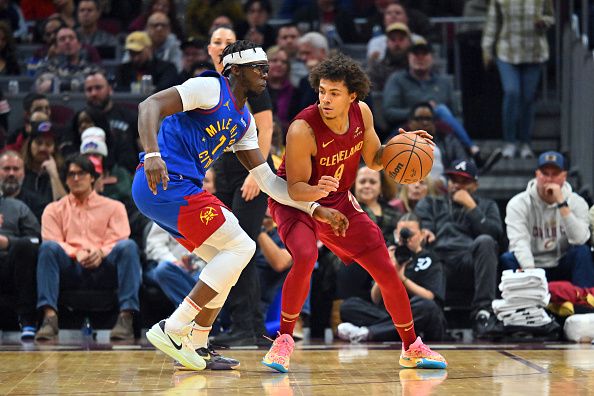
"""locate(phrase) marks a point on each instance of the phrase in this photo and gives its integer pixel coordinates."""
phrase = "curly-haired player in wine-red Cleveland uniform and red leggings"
(326, 141)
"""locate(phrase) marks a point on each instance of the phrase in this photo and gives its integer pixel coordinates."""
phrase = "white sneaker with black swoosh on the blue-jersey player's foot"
(177, 346)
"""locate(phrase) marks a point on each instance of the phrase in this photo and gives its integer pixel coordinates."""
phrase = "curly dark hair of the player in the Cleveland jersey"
(340, 67)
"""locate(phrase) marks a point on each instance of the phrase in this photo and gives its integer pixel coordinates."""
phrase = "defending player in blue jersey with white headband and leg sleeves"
(204, 116)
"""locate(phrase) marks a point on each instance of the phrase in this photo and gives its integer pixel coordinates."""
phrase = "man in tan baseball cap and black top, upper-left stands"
(143, 62)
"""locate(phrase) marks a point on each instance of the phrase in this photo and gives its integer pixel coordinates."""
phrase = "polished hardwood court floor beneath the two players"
(337, 369)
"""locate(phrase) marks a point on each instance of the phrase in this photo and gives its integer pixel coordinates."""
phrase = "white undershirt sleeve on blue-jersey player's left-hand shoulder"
(199, 93)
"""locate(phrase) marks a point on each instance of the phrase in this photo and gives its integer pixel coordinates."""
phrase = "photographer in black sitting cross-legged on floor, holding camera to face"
(421, 273)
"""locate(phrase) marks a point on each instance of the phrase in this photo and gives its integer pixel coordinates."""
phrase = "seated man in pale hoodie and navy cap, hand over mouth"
(548, 226)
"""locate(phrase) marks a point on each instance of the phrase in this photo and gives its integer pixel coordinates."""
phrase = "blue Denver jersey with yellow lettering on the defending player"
(191, 141)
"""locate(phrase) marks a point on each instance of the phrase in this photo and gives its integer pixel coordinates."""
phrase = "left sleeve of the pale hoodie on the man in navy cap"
(518, 232)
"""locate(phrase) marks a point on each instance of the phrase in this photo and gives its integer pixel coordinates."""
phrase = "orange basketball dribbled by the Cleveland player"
(407, 158)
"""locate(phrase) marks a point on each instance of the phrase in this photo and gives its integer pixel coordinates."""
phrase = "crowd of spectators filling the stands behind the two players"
(66, 212)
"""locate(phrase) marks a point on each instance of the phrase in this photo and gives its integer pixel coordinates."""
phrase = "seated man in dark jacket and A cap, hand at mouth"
(468, 228)
